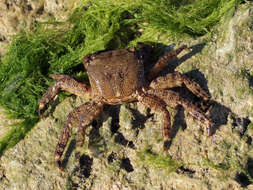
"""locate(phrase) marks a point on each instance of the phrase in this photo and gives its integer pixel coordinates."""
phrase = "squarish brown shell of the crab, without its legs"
(115, 75)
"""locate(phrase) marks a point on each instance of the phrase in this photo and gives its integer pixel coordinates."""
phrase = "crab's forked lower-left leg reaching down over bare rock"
(83, 116)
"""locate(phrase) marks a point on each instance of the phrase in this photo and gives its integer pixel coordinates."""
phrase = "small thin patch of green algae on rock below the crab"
(159, 162)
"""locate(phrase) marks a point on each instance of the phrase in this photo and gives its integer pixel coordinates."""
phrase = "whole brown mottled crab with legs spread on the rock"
(116, 77)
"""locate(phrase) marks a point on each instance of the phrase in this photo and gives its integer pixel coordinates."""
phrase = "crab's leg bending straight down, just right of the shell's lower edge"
(160, 107)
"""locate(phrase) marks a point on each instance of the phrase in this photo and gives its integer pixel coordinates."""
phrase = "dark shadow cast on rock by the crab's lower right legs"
(217, 112)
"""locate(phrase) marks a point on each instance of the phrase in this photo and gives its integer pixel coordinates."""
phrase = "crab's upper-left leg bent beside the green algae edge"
(66, 83)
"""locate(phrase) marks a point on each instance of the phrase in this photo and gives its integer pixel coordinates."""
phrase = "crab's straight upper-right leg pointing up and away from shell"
(162, 62)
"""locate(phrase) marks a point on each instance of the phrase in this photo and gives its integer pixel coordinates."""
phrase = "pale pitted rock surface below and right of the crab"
(123, 148)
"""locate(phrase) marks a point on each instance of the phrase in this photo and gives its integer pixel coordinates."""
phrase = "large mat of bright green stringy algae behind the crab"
(54, 47)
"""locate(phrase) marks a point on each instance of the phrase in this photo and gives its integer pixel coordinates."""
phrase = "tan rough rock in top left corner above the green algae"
(17, 15)
